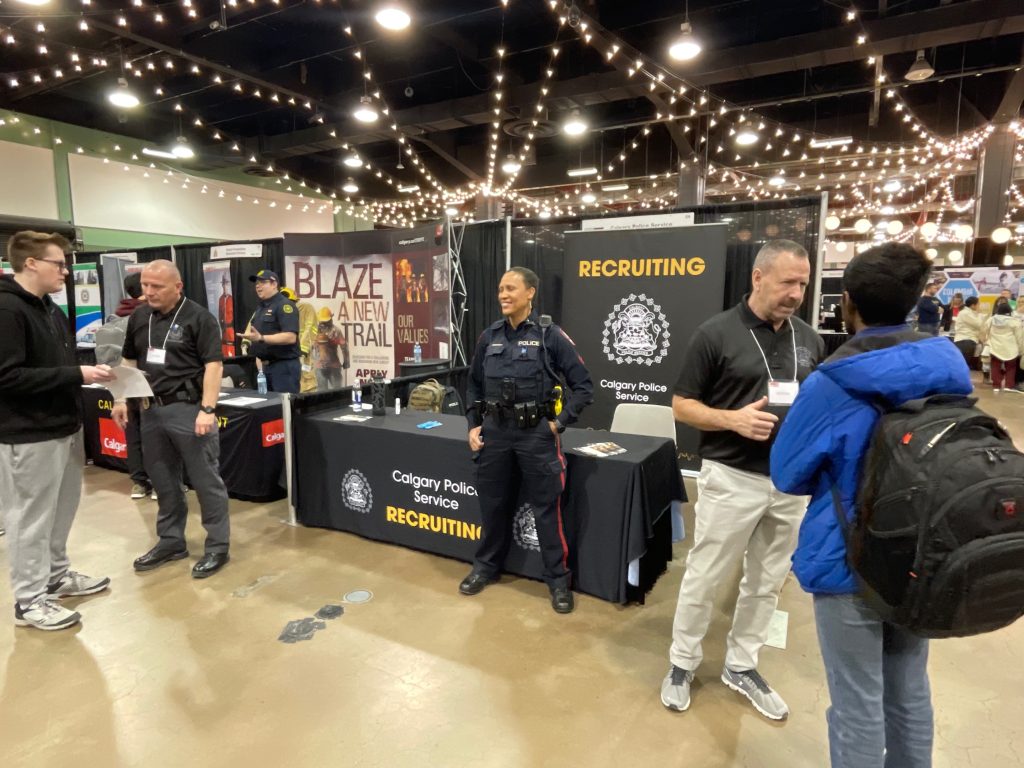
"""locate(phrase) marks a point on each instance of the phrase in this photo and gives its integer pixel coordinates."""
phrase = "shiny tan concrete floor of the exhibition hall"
(167, 671)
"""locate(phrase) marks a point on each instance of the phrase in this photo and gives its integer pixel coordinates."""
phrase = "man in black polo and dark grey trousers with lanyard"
(178, 344)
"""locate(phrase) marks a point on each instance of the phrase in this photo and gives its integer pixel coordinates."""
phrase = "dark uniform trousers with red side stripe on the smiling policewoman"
(532, 459)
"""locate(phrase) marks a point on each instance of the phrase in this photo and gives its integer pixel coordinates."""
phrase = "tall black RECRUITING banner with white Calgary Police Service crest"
(631, 302)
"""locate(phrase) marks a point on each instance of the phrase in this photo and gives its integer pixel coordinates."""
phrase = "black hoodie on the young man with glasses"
(40, 383)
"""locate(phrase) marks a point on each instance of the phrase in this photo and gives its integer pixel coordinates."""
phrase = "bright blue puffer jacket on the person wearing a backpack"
(827, 434)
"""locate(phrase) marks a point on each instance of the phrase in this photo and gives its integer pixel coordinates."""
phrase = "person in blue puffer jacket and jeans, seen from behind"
(881, 712)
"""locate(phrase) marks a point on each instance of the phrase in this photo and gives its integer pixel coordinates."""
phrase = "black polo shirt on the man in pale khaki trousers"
(726, 370)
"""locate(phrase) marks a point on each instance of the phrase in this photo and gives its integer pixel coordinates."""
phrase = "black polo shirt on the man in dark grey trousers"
(193, 339)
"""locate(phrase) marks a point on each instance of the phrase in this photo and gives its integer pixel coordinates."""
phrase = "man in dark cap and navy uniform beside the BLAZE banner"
(275, 334)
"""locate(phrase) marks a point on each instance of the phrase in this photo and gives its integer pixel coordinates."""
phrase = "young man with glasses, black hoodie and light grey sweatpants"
(41, 453)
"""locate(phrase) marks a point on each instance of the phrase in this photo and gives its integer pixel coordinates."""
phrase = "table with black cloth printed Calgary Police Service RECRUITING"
(388, 480)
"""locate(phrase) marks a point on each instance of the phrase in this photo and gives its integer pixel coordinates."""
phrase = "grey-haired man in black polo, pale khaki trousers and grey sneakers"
(742, 373)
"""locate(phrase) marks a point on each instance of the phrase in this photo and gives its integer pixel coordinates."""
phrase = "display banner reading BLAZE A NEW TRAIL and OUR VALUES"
(388, 290)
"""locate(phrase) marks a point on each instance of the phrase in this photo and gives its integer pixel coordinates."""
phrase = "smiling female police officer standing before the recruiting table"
(518, 410)
